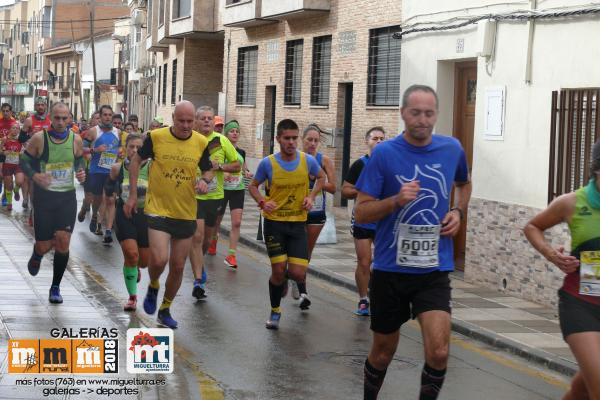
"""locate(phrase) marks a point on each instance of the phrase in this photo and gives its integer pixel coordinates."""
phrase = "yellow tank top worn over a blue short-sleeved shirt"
(288, 190)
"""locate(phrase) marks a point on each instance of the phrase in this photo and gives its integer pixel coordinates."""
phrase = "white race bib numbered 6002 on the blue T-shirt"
(418, 246)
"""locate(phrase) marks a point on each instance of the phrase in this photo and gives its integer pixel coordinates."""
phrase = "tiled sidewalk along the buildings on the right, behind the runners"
(524, 328)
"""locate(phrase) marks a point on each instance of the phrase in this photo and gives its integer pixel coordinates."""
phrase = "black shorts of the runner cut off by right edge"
(577, 315)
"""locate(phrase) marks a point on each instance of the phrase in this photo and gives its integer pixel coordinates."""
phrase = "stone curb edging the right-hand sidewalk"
(540, 357)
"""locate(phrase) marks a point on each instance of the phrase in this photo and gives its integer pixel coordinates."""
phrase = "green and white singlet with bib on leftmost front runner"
(58, 160)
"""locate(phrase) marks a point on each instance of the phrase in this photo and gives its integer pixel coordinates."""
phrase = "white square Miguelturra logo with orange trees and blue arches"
(150, 351)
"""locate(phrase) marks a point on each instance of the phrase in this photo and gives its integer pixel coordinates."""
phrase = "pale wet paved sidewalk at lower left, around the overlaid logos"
(25, 313)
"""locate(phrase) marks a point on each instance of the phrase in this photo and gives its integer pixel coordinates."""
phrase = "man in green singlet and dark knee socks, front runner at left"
(50, 159)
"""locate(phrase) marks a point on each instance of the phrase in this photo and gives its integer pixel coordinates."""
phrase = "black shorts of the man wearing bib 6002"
(396, 297)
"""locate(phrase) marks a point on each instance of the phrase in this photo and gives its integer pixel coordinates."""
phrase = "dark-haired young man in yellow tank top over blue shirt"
(284, 211)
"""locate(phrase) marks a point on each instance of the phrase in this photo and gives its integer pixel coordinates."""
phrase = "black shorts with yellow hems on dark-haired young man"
(286, 241)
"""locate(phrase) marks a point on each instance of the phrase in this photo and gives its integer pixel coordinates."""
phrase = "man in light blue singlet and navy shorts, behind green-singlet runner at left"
(105, 148)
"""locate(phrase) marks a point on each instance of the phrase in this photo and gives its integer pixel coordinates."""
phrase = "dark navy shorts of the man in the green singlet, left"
(53, 211)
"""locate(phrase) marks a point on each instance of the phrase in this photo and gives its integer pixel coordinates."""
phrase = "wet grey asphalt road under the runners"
(224, 350)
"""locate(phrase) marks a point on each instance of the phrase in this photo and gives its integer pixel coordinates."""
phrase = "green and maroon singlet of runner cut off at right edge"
(585, 241)
